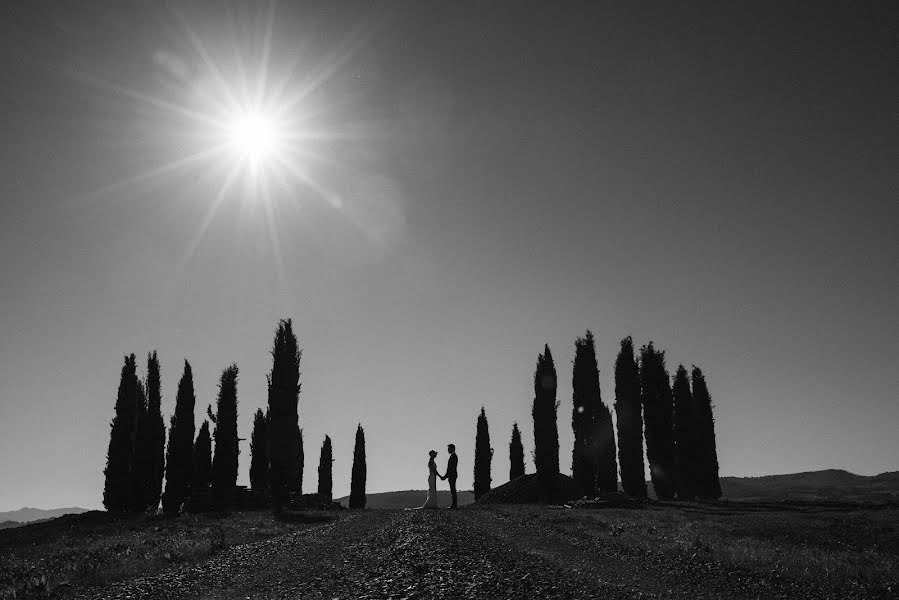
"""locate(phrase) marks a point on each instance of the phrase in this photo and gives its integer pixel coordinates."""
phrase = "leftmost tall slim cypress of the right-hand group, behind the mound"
(546, 432)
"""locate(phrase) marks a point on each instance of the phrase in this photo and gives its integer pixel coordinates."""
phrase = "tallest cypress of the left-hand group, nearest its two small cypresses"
(283, 401)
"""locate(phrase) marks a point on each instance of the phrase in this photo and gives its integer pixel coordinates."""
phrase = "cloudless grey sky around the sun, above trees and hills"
(456, 185)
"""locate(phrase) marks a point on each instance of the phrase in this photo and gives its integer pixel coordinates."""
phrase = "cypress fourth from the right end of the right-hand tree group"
(630, 421)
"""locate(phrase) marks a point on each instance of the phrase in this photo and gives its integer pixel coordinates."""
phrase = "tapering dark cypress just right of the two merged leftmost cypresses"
(179, 454)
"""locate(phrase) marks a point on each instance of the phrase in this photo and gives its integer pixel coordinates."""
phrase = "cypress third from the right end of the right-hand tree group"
(655, 392)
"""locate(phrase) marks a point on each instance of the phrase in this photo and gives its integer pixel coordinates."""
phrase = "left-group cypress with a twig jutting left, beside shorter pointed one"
(224, 461)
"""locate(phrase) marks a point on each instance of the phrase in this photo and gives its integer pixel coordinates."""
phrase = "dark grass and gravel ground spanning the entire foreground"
(685, 551)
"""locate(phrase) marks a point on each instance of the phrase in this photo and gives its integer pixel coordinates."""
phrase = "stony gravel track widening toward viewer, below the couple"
(483, 553)
